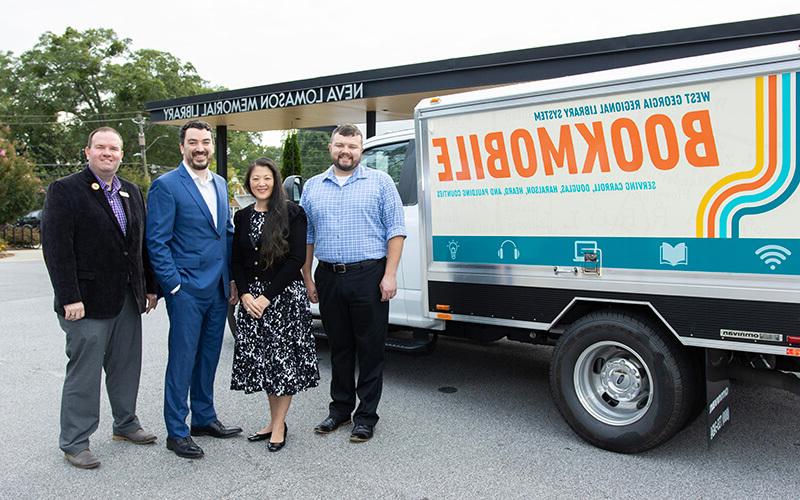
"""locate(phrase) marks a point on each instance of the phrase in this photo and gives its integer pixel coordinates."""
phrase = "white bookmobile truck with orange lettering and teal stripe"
(645, 221)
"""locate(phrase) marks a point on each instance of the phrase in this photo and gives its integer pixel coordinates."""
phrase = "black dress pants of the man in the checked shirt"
(356, 322)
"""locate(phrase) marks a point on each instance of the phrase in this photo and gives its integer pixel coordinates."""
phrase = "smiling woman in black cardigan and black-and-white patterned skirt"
(275, 349)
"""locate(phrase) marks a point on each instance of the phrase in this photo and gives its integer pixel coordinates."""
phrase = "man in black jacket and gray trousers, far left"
(92, 236)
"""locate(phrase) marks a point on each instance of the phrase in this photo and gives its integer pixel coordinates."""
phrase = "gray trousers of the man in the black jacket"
(94, 345)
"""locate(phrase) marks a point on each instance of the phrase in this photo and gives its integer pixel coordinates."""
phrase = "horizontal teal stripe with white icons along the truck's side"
(704, 254)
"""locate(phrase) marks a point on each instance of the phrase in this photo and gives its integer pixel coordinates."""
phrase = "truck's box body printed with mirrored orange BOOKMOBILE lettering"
(677, 190)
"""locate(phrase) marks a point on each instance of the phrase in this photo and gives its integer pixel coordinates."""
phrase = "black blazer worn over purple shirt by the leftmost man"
(88, 257)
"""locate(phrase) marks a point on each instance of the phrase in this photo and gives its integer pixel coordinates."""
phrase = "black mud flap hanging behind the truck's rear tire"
(718, 413)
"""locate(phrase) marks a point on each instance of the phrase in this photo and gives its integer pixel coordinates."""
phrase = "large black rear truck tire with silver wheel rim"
(620, 383)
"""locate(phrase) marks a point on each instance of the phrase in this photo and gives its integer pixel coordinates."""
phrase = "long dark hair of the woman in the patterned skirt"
(275, 233)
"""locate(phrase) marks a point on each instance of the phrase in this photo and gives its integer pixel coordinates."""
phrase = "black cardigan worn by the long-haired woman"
(246, 262)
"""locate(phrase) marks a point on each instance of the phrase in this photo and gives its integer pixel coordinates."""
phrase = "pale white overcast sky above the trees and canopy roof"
(238, 43)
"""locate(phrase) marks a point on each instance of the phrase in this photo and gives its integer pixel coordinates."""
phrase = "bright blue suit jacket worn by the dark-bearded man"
(184, 245)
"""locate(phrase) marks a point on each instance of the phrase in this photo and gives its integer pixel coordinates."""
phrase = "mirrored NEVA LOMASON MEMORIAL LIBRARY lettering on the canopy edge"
(314, 95)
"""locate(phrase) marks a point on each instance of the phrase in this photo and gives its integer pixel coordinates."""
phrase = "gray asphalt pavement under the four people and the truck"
(498, 435)
